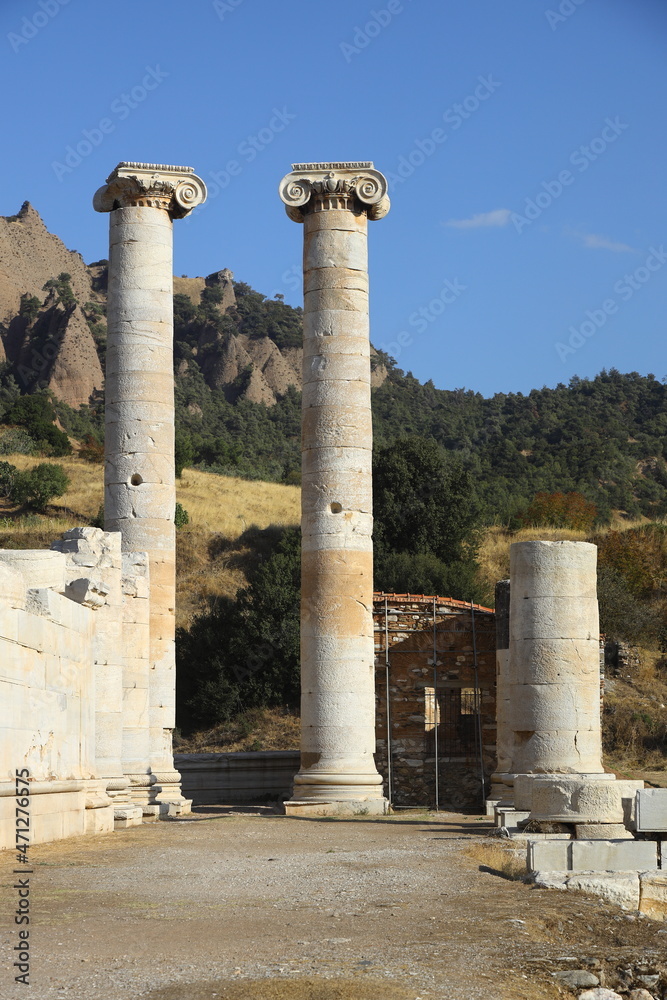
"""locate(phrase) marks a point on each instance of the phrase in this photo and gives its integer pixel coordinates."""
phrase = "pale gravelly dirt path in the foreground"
(265, 907)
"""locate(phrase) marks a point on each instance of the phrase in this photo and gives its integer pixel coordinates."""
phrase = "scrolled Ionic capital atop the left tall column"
(155, 185)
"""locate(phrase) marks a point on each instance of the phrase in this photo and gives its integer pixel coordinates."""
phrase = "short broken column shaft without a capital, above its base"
(554, 689)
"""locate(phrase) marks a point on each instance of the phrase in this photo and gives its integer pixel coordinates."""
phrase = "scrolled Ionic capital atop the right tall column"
(318, 187)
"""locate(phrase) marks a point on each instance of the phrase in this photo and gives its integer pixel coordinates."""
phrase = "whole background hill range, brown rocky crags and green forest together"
(238, 363)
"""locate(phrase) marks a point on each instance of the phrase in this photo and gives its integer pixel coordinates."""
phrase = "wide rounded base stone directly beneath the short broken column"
(565, 800)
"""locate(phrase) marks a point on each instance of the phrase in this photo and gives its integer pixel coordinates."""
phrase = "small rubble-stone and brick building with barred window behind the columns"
(421, 690)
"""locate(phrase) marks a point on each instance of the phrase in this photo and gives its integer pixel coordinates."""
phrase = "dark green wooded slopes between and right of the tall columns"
(605, 437)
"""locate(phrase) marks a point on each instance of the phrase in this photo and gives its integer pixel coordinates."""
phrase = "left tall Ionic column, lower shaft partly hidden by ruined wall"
(140, 495)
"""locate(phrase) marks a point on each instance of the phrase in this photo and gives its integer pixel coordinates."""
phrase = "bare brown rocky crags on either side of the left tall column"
(52, 327)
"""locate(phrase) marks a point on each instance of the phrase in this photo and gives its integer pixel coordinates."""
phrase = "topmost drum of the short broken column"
(541, 569)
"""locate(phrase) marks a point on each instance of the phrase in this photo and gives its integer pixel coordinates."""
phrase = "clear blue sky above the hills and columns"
(266, 83)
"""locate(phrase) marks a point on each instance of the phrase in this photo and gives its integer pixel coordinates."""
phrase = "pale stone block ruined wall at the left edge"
(72, 651)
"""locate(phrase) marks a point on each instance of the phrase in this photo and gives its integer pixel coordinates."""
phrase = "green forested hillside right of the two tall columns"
(604, 437)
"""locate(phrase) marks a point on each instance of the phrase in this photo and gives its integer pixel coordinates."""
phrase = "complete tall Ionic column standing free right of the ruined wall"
(338, 775)
